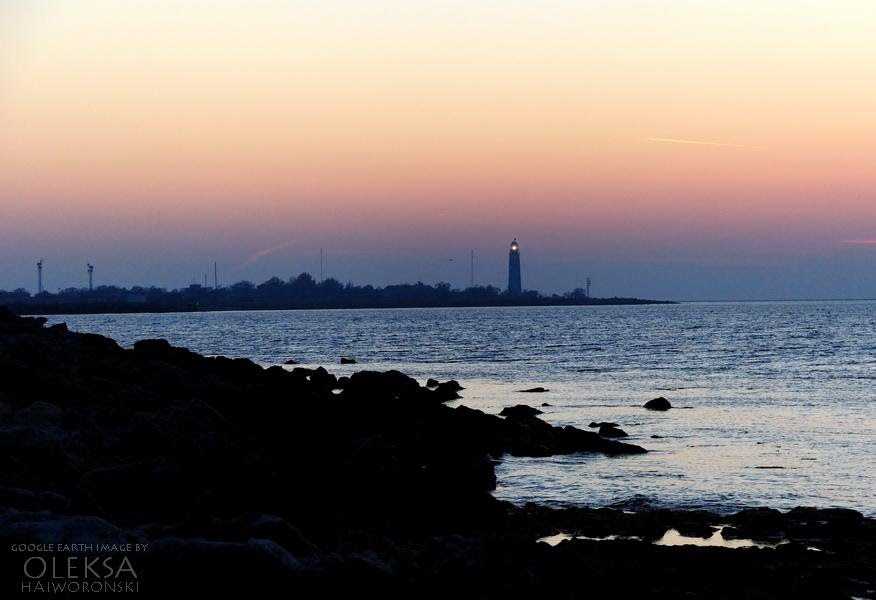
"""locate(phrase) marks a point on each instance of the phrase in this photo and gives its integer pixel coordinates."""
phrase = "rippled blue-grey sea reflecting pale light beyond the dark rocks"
(787, 385)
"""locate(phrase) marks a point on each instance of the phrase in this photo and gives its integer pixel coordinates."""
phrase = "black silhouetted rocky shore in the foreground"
(234, 478)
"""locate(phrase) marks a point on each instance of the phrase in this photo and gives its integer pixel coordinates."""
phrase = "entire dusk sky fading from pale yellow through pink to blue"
(679, 149)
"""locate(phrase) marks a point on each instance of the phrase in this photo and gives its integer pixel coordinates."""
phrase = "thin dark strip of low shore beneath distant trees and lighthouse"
(126, 308)
